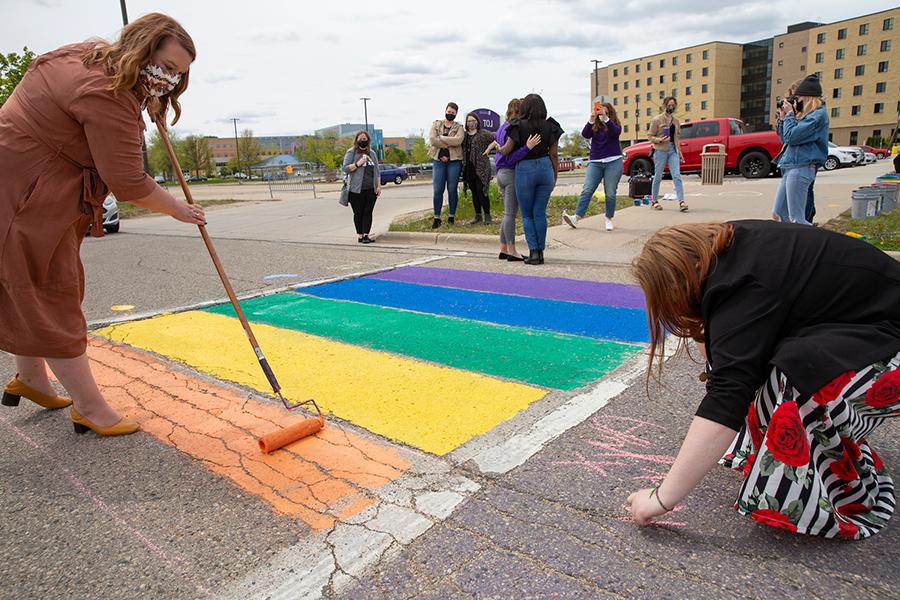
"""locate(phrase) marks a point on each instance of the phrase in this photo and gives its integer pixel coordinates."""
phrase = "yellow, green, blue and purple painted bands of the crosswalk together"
(425, 356)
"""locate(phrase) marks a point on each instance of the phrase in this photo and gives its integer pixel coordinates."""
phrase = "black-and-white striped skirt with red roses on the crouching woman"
(807, 465)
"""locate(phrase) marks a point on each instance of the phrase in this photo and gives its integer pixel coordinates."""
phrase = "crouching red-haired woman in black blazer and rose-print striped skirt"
(801, 331)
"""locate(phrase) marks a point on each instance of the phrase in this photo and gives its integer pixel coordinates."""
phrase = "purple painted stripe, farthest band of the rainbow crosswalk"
(549, 288)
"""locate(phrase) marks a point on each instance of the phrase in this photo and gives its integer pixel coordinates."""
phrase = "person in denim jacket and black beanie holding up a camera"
(803, 129)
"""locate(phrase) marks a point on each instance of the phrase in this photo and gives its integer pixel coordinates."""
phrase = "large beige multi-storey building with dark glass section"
(854, 59)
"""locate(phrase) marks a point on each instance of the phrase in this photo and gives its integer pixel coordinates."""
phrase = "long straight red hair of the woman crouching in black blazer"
(671, 269)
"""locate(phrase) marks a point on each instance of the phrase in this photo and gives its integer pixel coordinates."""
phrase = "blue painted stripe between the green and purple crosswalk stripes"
(589, 320)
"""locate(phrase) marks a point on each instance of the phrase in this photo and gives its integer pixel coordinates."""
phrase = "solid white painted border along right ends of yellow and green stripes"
(513, 452)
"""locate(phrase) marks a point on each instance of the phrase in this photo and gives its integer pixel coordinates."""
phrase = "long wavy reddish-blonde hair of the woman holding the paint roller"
(122, 60)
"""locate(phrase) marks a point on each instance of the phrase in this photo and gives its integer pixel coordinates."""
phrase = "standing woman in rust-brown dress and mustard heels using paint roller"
(70, 134)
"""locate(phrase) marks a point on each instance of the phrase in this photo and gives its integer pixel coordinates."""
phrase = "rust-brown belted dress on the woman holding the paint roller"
(65, 142)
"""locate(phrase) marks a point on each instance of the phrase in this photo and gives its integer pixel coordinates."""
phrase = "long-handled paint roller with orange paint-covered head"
(280, 438)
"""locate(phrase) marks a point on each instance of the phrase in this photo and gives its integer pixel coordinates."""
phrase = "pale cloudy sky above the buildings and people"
(292, 67)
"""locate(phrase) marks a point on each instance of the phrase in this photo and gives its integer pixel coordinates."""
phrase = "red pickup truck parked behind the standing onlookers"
(749, 154)
